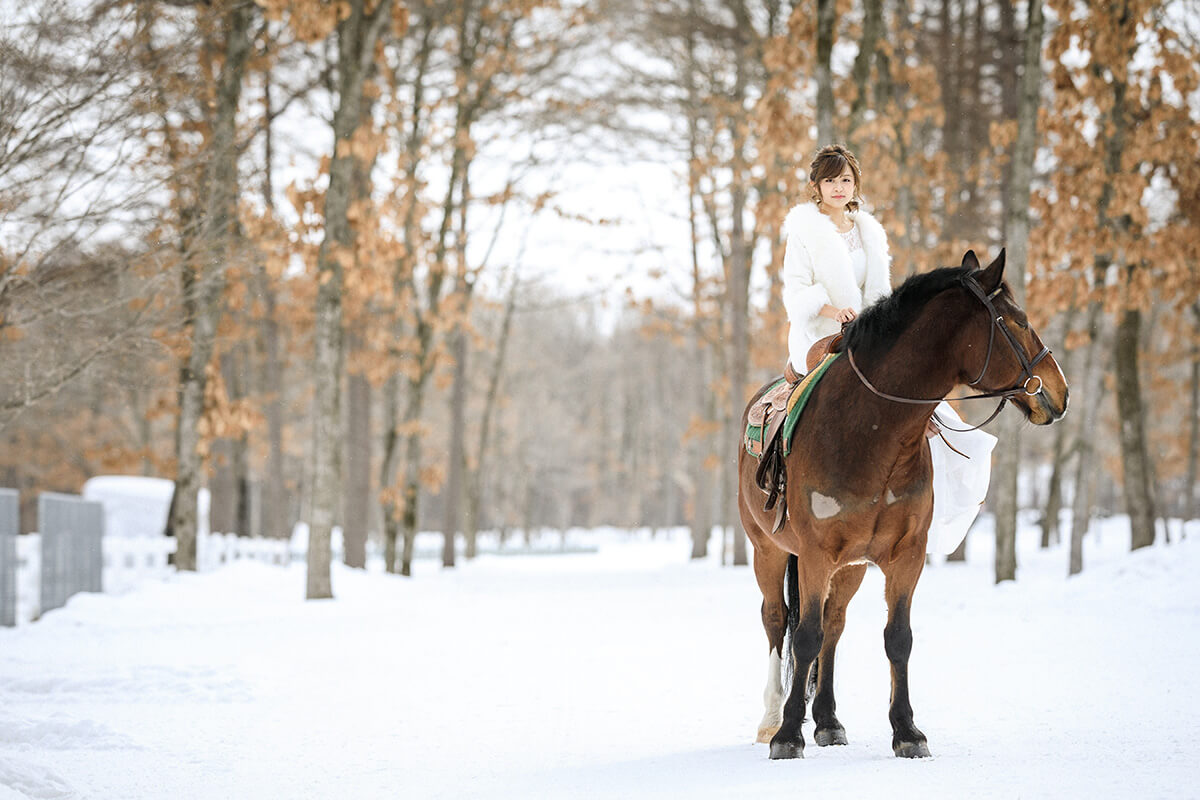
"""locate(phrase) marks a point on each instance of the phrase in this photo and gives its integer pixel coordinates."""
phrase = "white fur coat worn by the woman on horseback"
(818, 272)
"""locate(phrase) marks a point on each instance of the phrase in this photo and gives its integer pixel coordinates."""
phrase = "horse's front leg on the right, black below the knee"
(903, 574)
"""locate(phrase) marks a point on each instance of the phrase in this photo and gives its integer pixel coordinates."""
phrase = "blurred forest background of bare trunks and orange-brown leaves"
(508, 266)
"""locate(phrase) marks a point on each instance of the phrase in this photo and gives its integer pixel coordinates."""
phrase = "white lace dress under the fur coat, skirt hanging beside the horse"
(961, 484)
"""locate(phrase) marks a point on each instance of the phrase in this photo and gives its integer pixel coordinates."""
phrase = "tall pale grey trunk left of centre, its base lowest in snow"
(357, 38)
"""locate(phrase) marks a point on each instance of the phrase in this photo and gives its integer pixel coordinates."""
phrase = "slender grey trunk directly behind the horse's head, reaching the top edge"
(1017, 236)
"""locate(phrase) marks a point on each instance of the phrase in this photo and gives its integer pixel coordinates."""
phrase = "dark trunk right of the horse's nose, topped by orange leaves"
(1135, 459)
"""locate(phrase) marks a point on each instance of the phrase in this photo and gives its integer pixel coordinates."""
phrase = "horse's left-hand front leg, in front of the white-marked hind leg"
(813, 575)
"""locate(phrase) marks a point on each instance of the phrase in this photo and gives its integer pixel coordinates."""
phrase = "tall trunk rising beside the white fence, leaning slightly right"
(203, 288)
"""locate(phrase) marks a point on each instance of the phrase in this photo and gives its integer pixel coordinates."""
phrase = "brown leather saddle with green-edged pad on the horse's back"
(767, 418)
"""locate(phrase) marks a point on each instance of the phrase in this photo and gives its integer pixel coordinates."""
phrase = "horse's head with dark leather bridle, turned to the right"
(1010, 351)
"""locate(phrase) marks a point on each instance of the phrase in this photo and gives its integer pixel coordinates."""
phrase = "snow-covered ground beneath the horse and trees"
(621, 673)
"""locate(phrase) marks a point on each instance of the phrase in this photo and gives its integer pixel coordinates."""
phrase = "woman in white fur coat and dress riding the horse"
(836, 264)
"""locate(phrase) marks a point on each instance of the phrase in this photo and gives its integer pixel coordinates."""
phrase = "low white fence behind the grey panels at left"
(134, 561)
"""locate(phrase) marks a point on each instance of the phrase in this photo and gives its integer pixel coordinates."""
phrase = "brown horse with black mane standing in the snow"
(860, 480)
